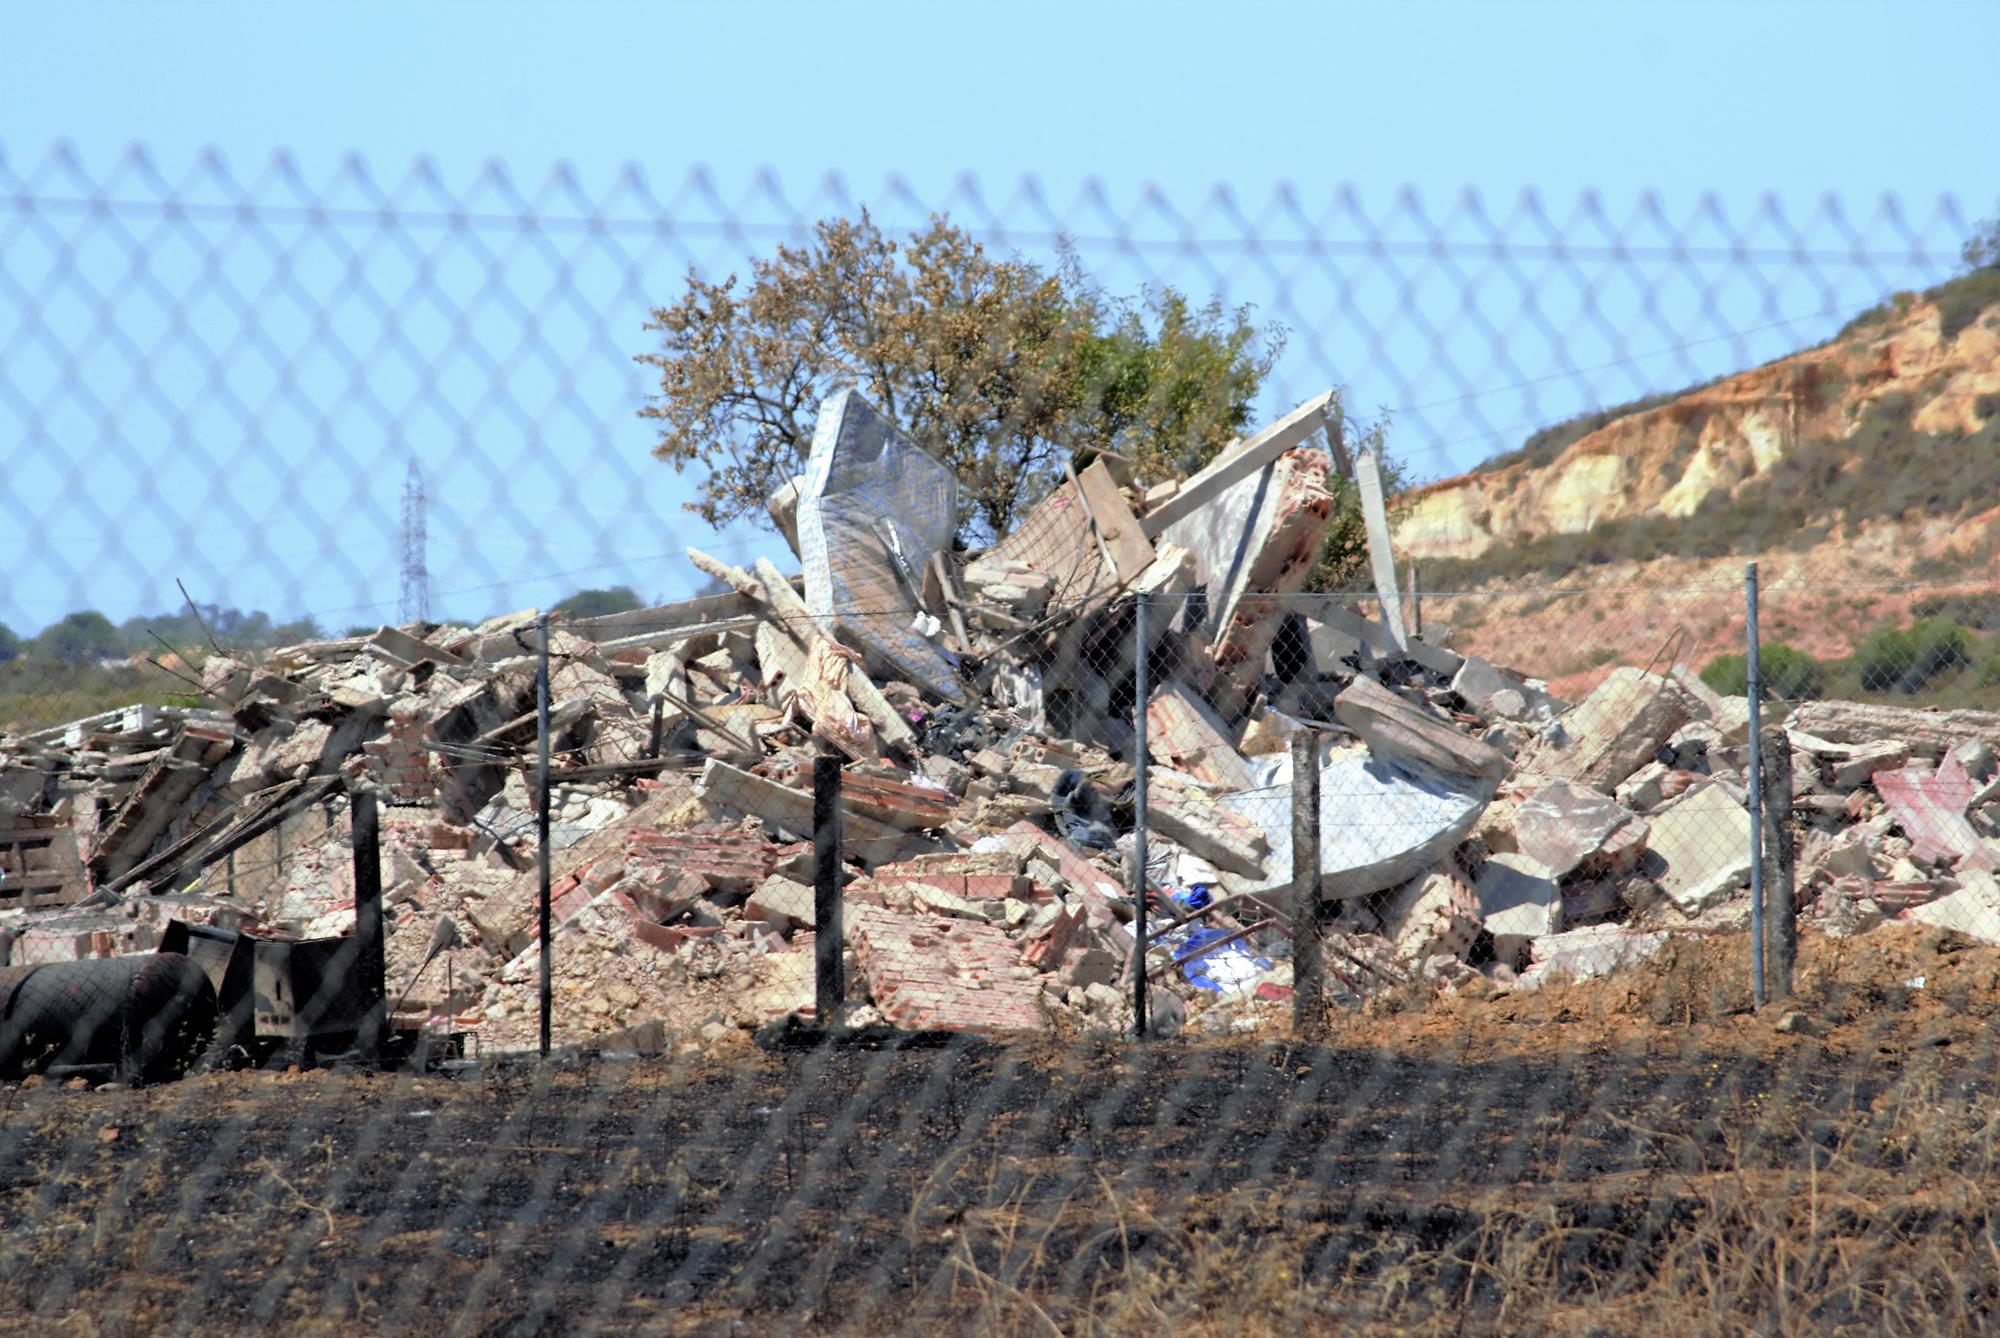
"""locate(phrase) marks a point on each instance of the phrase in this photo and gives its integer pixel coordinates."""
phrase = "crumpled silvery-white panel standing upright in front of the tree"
(873, 509)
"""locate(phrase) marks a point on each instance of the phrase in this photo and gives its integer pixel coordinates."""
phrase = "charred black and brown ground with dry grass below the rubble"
(1589, 1159)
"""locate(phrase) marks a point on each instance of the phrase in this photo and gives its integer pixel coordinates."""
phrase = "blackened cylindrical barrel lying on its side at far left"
(151, 1017)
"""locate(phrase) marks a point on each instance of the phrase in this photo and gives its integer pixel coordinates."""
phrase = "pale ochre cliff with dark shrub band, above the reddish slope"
(1907, 397)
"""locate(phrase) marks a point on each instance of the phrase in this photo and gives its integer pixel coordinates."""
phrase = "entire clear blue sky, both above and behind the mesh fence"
(1141, 123)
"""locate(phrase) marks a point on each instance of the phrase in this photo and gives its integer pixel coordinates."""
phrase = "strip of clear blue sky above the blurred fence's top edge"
(1679, 97)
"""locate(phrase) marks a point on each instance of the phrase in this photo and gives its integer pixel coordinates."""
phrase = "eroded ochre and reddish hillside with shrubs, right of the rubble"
(1847, 471)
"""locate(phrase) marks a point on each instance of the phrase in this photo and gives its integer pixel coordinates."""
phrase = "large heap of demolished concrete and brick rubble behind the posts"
(1475, 833)
